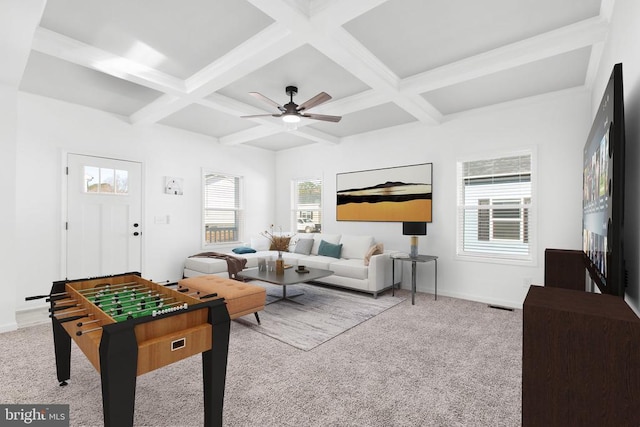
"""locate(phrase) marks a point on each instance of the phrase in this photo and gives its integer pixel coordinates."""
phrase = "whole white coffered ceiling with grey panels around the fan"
(191, 64)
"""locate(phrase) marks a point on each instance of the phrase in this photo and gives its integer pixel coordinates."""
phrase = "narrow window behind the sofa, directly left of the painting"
(307, 205)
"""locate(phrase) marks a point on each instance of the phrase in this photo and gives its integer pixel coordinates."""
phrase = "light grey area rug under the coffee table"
(322, 314)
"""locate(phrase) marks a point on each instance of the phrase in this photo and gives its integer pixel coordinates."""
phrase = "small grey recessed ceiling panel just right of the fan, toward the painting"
(370, 119)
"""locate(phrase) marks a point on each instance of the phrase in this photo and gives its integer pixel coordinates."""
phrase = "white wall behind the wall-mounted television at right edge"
(622, 46)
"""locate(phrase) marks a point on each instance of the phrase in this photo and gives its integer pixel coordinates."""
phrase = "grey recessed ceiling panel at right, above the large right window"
(548, 75)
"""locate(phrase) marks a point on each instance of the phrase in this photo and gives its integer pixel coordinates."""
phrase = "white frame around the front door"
(64, 213)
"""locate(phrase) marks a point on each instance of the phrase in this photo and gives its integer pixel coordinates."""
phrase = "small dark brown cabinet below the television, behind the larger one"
(564, 268)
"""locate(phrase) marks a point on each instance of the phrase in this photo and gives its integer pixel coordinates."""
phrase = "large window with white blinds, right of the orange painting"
(494, 207)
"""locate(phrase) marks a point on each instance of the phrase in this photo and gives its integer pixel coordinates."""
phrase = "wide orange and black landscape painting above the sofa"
(399, 194)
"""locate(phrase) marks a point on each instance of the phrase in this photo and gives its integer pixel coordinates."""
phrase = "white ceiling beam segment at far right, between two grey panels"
(565, 39)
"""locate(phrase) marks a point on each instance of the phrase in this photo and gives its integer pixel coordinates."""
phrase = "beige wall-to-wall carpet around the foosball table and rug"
(448, 362)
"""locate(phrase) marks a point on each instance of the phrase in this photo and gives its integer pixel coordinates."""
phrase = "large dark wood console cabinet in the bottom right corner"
(580, 360)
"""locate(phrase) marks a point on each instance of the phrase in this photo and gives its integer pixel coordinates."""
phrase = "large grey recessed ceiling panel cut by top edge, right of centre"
(412, 36)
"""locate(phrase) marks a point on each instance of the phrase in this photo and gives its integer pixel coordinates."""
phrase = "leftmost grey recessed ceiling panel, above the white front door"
(54, 78)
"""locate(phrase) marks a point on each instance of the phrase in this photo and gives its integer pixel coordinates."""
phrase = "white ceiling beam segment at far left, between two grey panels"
(79, 53)
